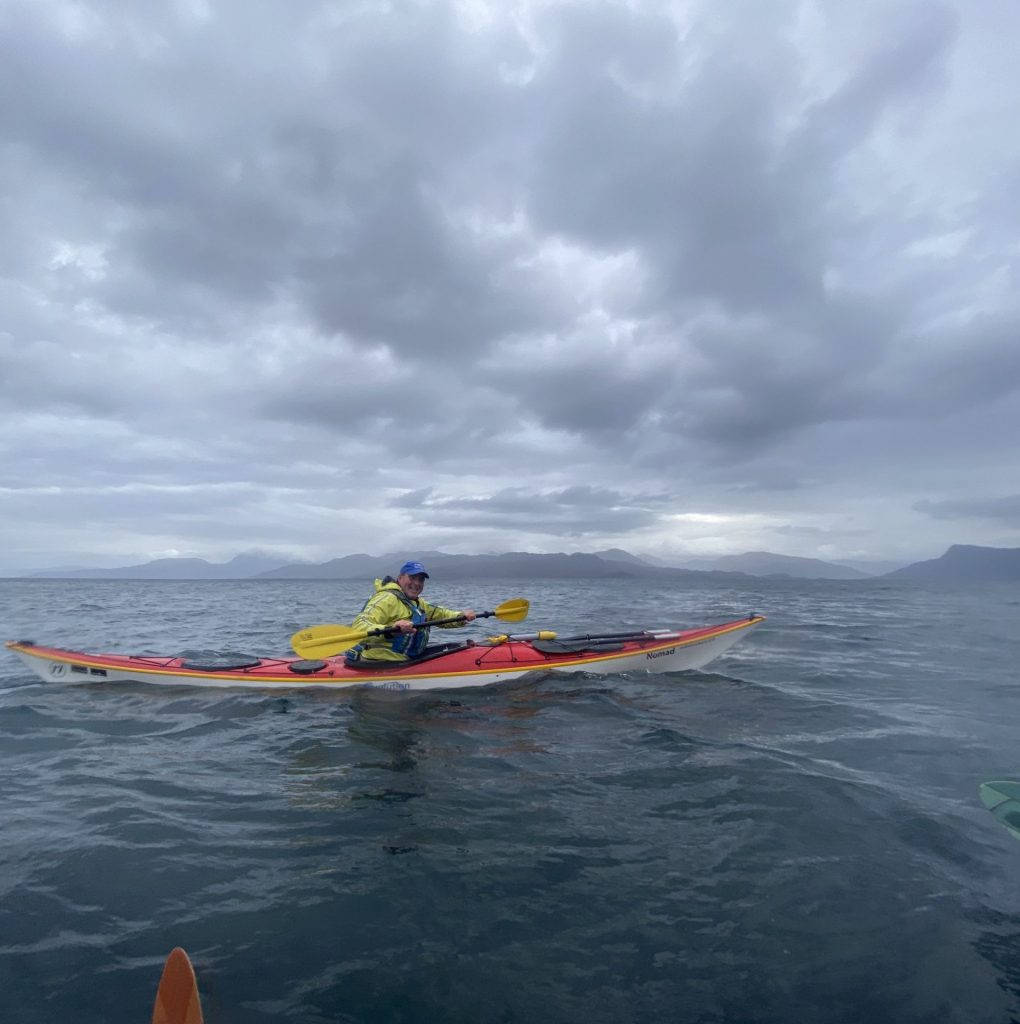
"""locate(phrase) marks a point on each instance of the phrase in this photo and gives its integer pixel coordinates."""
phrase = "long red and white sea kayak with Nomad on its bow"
(462, 665)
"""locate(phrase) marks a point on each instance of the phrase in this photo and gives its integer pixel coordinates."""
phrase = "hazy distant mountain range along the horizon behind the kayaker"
(961, 563)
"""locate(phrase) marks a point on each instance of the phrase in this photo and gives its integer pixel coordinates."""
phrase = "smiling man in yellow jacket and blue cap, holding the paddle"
(398, 605)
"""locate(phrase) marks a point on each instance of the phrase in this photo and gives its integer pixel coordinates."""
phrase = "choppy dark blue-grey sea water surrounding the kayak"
(792, 835)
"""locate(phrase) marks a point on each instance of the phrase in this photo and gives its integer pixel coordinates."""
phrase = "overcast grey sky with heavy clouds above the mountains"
(676, 277)
